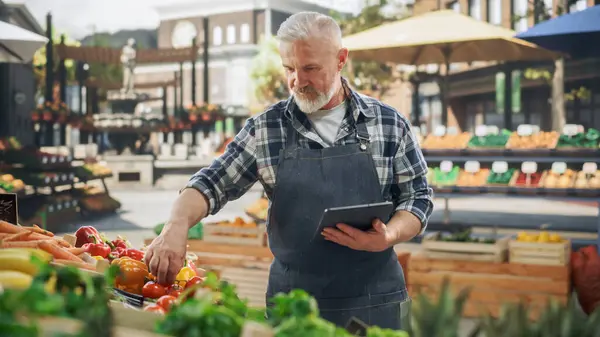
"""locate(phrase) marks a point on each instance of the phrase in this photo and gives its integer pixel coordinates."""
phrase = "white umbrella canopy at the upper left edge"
(18, 44)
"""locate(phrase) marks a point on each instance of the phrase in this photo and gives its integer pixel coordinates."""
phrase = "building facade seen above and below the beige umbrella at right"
(472, 89)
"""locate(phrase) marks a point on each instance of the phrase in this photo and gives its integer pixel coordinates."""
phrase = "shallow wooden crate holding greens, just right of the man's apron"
(469, 251)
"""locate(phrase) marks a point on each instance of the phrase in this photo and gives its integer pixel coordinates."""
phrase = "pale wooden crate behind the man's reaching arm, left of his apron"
(252, 236)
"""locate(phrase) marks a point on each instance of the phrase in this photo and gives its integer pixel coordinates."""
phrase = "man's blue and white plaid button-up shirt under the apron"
(254, 153)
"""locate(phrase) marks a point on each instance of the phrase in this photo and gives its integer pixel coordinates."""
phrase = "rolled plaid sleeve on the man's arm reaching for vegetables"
(231, 174)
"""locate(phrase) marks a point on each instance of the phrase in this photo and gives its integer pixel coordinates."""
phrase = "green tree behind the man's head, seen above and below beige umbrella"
(370, 75)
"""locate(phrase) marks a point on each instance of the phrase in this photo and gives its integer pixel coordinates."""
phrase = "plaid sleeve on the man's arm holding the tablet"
(410, 189)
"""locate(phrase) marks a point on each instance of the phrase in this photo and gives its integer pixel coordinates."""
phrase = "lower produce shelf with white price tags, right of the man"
(562, 173)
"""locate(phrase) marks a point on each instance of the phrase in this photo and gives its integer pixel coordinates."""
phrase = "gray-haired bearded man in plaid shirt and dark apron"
(326, 146)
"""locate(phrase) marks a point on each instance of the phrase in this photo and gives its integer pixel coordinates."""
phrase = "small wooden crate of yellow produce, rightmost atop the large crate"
(551, 254)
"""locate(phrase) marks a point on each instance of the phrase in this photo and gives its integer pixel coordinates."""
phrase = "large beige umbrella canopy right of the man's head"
(442, 37)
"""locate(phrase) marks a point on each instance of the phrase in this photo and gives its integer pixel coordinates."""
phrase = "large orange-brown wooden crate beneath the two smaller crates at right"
(491, 285)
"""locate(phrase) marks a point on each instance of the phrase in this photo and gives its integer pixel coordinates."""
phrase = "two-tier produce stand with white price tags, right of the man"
(527, 163)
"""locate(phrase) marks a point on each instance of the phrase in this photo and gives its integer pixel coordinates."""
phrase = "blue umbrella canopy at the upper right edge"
(577, 34)
